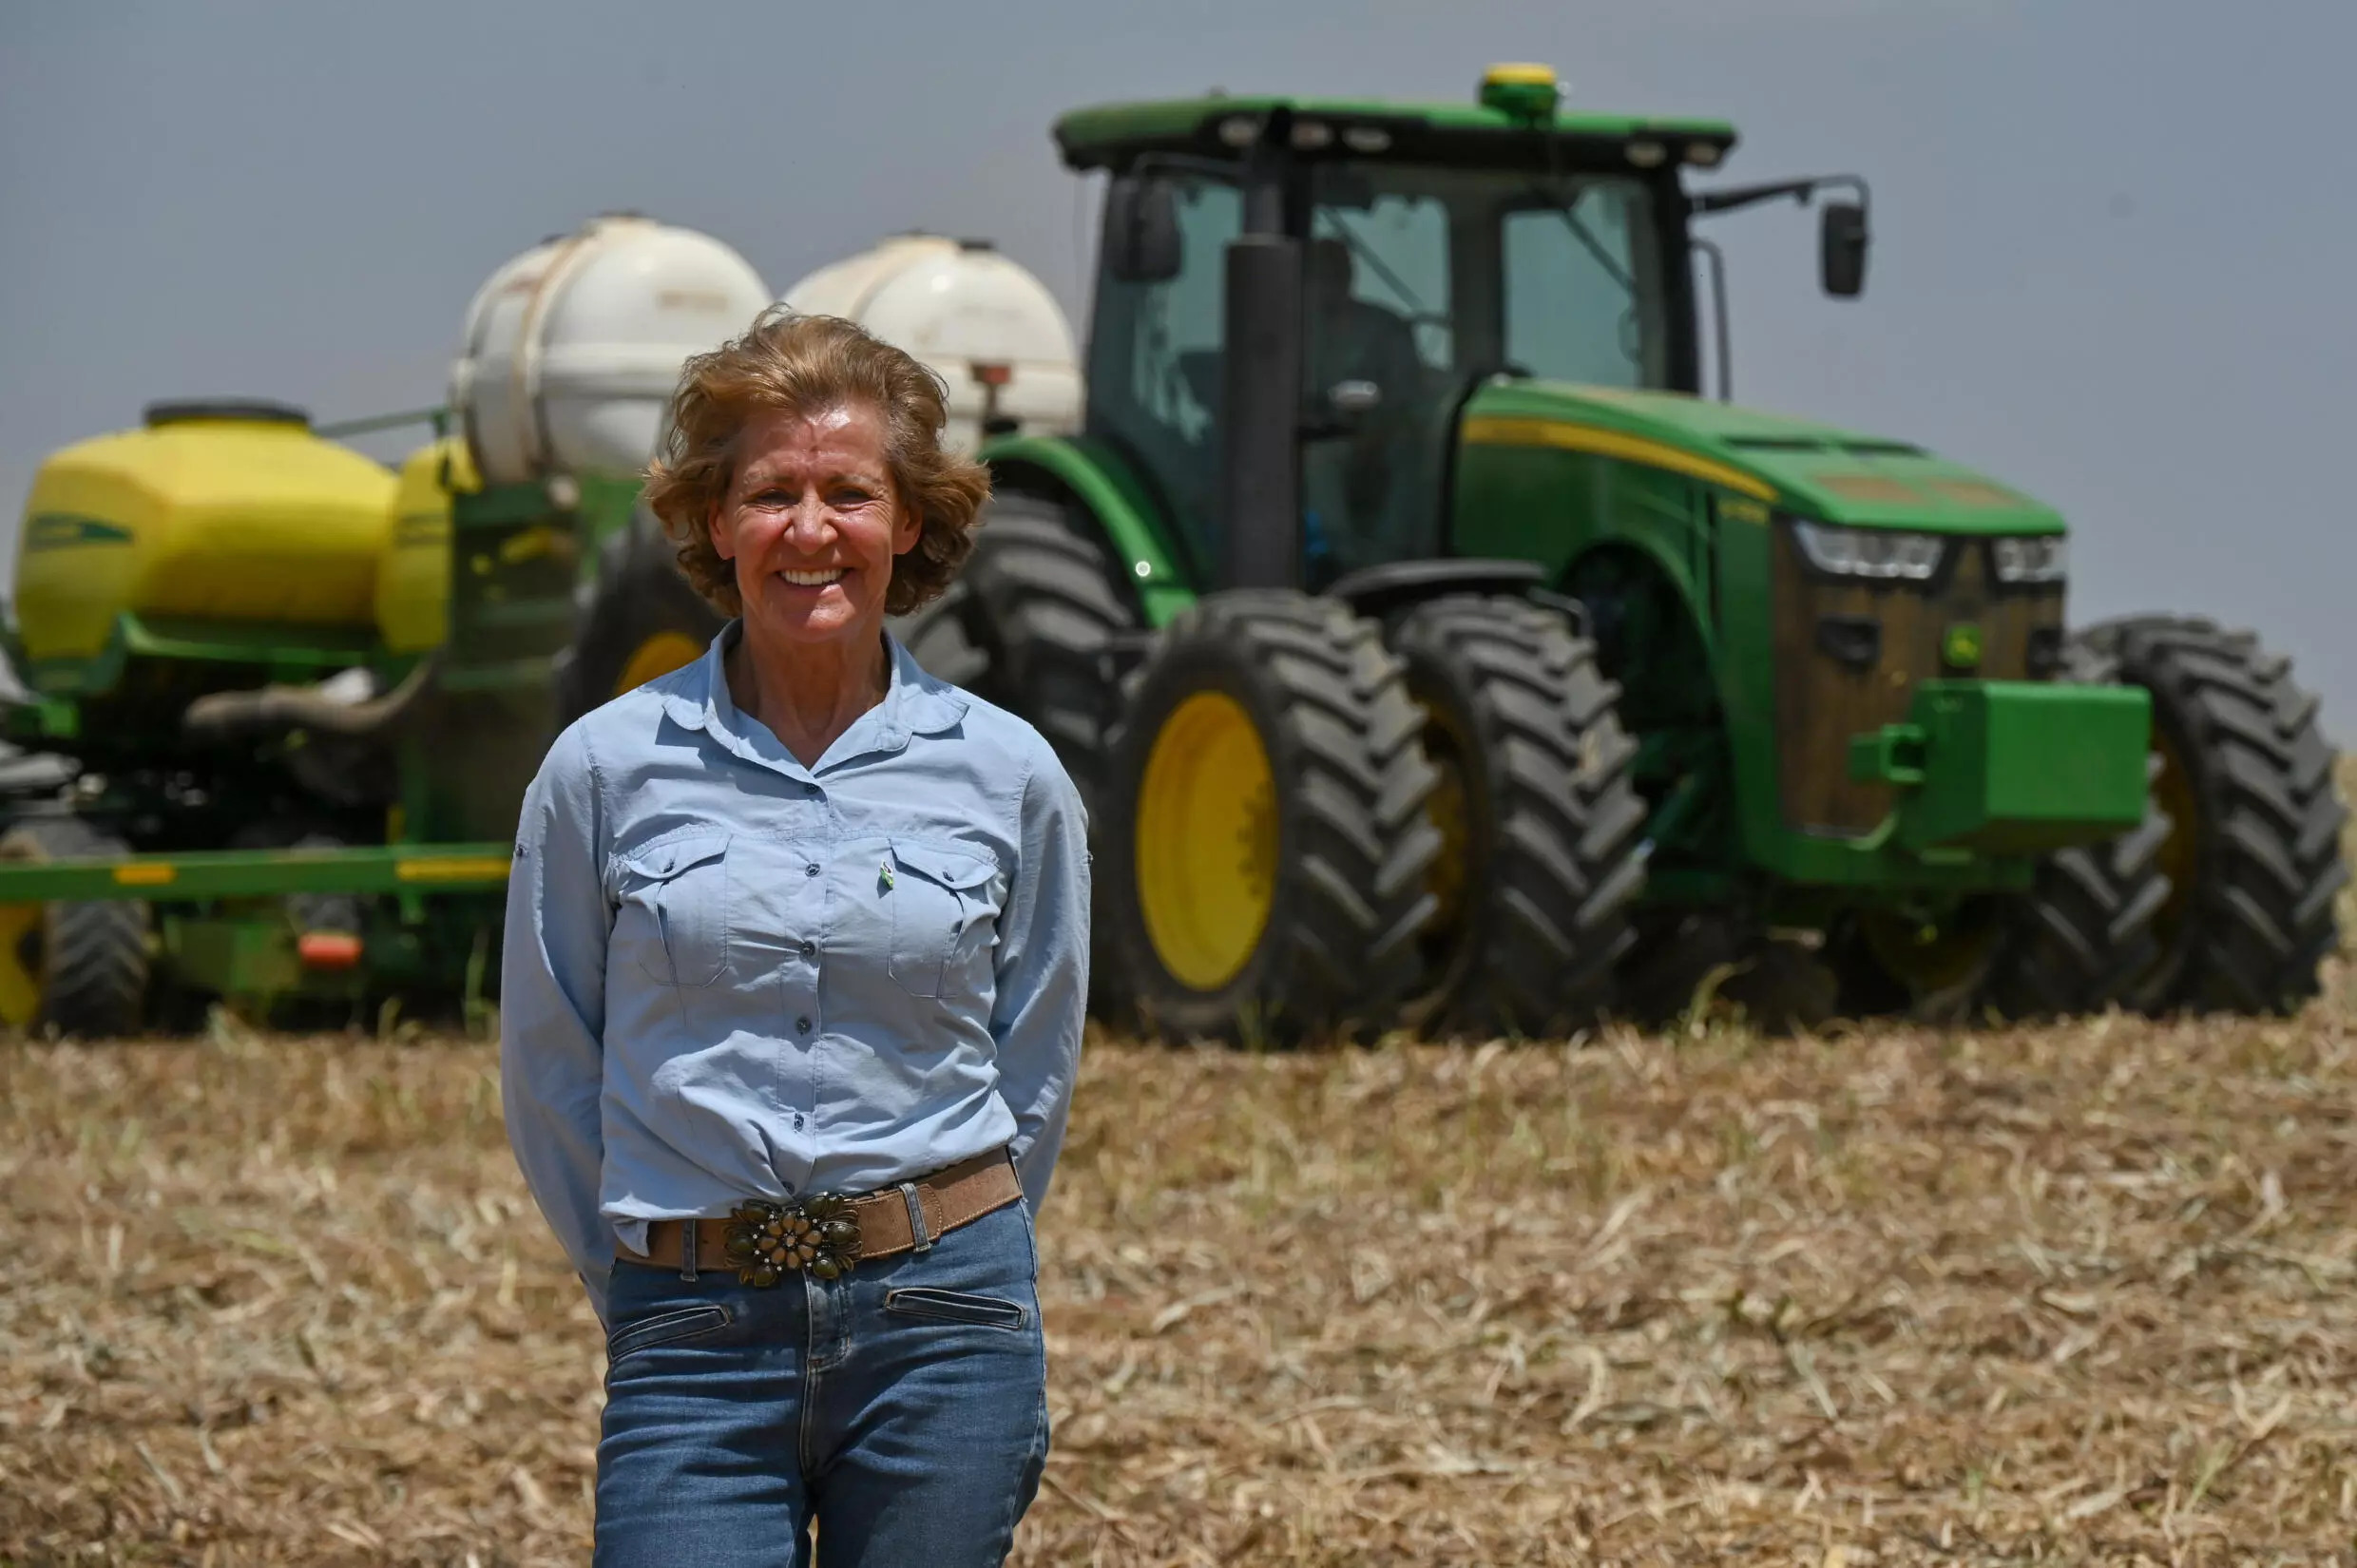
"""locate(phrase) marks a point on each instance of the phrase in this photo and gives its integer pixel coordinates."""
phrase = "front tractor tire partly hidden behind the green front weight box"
(2085, 933)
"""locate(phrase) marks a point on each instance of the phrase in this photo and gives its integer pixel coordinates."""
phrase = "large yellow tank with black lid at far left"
(213, 513)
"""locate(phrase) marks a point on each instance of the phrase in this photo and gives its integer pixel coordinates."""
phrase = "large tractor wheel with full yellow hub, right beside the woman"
(1269, 824)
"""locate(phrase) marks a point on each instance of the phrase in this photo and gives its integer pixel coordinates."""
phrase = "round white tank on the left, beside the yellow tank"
(574, 348)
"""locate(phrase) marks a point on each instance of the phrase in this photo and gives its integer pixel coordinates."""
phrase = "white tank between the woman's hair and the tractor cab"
(977, 319)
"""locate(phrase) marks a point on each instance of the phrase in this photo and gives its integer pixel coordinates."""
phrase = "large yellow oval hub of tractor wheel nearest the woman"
(1208, 841)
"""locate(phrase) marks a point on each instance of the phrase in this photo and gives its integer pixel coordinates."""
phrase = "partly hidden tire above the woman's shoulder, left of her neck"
(642, 621)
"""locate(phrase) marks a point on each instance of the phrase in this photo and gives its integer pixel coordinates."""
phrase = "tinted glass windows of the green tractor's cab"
(1420, 279)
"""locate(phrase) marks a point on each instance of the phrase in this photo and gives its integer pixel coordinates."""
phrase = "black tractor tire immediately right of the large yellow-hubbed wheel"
(1538, 810)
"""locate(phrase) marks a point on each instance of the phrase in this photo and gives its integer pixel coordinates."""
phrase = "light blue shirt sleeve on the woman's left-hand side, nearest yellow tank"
(553, 1006)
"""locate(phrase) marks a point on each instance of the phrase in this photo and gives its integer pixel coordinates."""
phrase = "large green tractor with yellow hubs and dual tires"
(1437, 652)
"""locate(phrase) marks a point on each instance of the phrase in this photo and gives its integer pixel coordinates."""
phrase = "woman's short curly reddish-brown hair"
(812, 364)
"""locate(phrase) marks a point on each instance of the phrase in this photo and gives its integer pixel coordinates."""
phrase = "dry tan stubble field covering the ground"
(1863, 1298)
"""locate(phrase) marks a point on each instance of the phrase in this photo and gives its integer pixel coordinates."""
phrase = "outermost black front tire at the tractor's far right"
(2254, 838)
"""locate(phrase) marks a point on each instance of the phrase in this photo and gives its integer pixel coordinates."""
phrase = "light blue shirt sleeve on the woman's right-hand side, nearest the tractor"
(1043, 973)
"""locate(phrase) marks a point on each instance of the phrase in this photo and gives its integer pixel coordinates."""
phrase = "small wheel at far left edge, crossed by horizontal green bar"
(72, 968)
